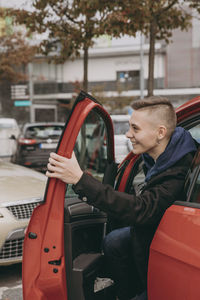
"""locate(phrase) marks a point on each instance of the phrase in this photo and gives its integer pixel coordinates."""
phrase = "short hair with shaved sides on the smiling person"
(160, 106)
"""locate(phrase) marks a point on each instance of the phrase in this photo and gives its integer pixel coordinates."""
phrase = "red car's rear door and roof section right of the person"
(174, 261)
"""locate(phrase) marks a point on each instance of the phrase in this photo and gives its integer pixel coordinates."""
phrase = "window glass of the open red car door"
(90, 148)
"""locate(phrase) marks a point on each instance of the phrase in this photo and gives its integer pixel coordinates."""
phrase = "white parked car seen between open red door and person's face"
(122, 144)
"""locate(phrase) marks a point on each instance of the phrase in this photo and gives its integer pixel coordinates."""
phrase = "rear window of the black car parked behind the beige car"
(43, 131)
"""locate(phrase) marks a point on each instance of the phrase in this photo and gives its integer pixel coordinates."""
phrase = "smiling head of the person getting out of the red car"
(151, 126)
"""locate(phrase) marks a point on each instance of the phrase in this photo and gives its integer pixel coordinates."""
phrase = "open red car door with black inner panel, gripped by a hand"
(47, 273)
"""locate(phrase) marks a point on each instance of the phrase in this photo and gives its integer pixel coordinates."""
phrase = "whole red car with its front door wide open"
(62, 249)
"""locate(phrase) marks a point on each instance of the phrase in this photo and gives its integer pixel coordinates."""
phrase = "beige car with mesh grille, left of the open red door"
(22, 190)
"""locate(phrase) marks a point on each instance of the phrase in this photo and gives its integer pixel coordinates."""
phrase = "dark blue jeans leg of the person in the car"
(119, 260)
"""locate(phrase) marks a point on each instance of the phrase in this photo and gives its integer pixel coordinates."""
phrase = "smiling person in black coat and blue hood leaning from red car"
(167, 153)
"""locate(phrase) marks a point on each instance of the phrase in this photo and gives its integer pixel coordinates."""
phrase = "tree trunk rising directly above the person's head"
(152, 37)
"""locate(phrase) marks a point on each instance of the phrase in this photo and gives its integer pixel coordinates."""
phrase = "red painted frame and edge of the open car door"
(43, 260)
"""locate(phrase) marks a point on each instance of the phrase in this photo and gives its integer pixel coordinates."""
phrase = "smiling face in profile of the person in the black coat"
(143, 132)
